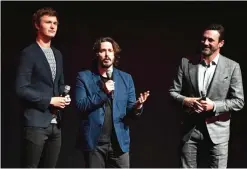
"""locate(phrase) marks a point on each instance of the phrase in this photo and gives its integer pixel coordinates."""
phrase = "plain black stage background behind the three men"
(154, 36)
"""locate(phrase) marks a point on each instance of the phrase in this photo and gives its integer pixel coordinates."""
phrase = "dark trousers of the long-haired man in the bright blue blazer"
(106, 156)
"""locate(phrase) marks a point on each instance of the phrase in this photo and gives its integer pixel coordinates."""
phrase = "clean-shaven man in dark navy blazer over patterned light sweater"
(39, 84)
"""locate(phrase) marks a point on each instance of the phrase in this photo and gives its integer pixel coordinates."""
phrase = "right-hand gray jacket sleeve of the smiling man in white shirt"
(235, 99)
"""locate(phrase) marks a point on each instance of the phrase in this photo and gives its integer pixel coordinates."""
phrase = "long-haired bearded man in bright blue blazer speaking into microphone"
(105, 99)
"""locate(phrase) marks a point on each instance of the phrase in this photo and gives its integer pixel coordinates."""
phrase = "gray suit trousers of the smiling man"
(200, 147)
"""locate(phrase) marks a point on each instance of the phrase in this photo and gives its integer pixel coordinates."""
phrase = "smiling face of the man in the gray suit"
(210, 42)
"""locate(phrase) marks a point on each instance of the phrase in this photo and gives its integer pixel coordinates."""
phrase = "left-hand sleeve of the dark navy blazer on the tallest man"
(24, 87)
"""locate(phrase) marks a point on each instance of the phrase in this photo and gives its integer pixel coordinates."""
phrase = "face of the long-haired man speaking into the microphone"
(106, 55)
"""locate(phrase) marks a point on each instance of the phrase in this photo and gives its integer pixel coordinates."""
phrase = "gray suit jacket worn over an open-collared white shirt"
(225, 89)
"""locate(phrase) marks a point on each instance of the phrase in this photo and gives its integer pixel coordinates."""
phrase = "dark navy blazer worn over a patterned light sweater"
(35, 87)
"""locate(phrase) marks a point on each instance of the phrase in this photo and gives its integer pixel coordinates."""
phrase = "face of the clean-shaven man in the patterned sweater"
(48, 26)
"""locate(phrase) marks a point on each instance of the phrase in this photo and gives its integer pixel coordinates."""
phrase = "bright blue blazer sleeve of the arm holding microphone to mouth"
(84, 101)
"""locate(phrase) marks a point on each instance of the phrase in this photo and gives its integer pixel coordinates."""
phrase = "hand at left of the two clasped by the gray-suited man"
(193, 103)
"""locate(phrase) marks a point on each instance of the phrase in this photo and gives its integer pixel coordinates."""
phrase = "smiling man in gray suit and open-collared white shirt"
(208, 88)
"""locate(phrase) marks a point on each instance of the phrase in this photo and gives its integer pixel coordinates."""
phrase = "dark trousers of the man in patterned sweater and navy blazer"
(41, 146)
